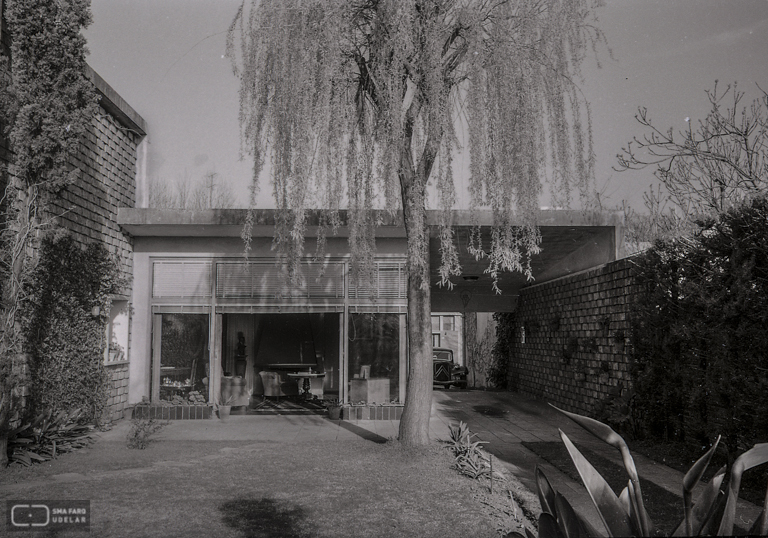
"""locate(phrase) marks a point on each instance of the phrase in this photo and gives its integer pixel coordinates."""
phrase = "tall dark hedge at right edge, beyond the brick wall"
(700, 344)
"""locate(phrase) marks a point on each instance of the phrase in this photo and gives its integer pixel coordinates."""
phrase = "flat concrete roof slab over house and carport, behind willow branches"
(571, 242)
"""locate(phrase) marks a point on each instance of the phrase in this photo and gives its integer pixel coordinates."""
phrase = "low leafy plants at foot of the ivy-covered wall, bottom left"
(47, 436)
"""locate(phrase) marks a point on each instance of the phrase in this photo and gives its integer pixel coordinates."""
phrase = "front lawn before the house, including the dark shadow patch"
(254, 489)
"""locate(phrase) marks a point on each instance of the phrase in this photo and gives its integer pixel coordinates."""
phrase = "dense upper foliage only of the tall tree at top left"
(49, 102)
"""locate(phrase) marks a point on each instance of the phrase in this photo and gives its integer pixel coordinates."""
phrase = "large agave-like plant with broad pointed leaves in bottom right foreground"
(625, 515)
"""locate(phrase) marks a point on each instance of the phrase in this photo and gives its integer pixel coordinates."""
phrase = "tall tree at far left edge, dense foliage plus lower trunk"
(47, 105)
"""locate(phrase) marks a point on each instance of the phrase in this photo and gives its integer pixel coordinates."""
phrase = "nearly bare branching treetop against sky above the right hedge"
(707, 169)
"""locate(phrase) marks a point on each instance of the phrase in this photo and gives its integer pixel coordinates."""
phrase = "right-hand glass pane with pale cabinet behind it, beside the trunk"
(374, 357)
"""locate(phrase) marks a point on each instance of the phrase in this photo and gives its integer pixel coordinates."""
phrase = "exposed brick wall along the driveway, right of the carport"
(571, 346)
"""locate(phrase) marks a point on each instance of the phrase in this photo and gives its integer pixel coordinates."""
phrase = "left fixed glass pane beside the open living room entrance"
(184, 355)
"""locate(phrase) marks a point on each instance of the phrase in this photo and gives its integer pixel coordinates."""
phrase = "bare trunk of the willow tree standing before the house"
(414, 424)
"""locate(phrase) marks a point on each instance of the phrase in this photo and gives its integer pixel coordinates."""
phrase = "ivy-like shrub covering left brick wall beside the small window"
(63, 336)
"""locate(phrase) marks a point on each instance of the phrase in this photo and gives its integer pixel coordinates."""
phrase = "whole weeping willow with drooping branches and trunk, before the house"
(362, 104)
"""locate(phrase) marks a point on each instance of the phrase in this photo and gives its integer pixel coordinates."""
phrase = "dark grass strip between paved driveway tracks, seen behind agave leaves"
(665, 508)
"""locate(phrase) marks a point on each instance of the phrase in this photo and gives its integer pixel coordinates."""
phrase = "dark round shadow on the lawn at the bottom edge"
(264, 518)
